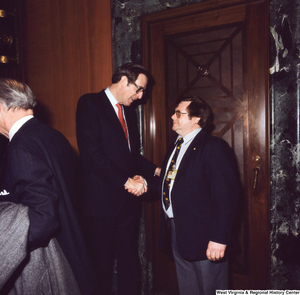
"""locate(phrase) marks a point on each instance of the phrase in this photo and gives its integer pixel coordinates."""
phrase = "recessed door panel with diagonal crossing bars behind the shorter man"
(210, 64)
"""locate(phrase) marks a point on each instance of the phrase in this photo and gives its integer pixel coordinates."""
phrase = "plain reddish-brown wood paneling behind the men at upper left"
(69, 54)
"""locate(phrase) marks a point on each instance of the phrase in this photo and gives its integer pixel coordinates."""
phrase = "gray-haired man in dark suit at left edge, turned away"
(38, 171)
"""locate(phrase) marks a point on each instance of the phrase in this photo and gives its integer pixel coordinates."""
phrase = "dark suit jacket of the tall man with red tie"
(105, 156)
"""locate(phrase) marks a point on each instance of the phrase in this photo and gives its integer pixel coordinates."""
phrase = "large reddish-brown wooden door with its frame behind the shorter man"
(217, 50)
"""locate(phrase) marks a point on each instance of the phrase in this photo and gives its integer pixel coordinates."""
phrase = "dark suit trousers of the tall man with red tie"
(116, 237)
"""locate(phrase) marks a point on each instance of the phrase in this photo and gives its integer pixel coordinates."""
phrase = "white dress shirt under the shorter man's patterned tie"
(187, 140)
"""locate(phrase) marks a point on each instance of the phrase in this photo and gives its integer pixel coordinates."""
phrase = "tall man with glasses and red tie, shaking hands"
(108, 141)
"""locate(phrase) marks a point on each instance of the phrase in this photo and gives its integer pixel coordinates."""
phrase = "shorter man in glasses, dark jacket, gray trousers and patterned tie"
(199, 198)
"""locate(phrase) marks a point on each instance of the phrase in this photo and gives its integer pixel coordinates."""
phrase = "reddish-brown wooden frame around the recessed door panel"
(154, 27)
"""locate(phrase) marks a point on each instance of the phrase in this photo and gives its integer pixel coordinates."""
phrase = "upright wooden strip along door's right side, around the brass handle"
(259, 199)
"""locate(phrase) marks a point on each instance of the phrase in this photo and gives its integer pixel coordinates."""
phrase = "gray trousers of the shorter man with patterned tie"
(201, 277)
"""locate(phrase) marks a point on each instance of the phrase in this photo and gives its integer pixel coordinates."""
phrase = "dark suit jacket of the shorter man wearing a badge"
(204, 195)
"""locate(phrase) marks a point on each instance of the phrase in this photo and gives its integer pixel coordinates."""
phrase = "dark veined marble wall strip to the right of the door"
(285, 145)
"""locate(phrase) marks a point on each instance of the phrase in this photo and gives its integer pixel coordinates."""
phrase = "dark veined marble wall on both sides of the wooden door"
(284, 118)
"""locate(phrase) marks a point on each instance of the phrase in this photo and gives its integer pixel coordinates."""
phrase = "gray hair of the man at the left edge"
(16, 95)
